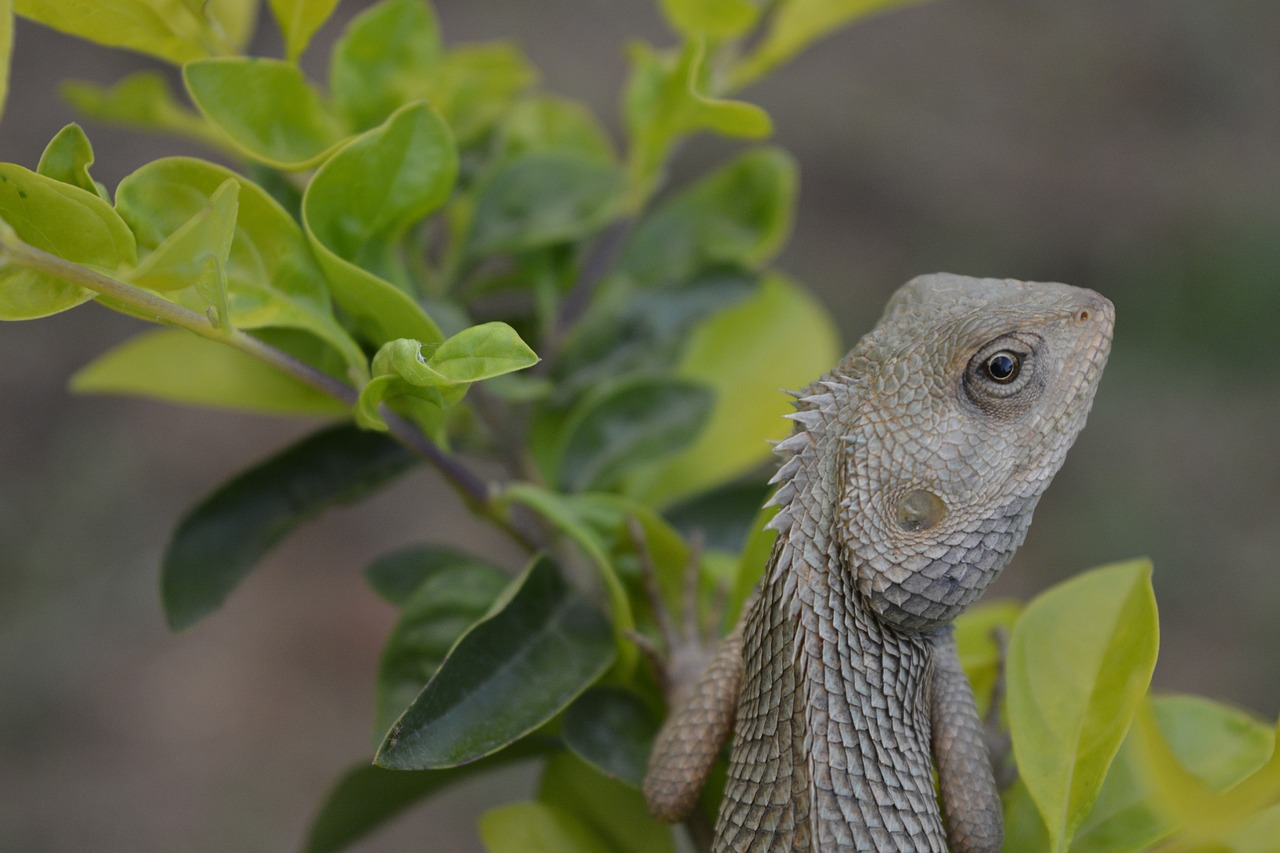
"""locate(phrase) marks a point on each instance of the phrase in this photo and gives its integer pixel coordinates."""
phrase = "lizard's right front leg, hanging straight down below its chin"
(970, 796)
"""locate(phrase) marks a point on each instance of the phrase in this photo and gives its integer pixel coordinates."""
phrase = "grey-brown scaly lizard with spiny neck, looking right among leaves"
(907, 485)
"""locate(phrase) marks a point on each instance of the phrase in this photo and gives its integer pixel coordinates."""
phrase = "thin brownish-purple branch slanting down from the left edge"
(476, 492)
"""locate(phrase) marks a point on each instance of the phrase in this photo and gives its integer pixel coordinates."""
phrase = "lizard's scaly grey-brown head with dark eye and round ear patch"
(962, 407)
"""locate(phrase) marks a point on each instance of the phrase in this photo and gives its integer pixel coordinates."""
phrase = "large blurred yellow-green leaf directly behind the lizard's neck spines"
(778, 339)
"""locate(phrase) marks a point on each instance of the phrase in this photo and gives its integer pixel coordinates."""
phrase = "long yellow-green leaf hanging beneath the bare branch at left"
(179, 367)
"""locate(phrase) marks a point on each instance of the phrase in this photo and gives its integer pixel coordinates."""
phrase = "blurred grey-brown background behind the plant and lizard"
(1133, 148)
